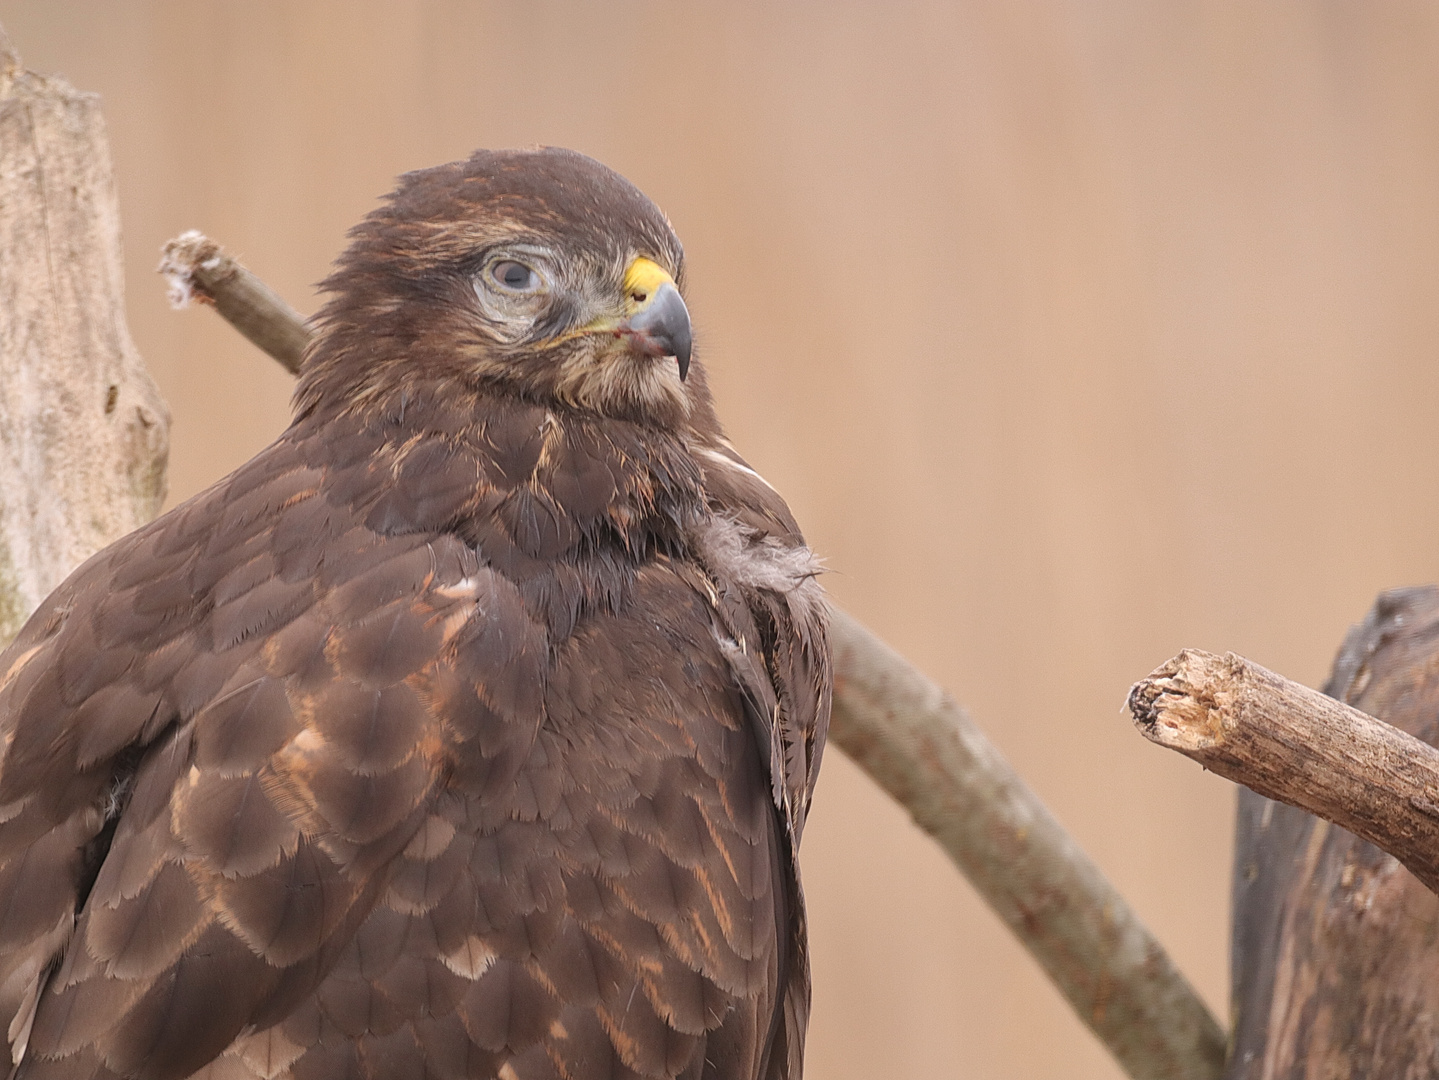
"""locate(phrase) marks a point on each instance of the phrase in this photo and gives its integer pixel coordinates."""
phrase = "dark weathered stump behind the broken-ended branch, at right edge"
(1336, 947)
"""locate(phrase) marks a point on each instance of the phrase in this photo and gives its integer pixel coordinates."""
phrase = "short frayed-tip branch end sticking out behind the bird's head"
(201, 270)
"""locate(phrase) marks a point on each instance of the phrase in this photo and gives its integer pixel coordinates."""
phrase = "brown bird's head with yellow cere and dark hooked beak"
(535, 273)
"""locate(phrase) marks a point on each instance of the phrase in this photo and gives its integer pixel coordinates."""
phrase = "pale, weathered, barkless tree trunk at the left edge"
(84, 434)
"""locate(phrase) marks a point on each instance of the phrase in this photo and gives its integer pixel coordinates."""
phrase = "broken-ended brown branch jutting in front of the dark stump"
(1299, 747)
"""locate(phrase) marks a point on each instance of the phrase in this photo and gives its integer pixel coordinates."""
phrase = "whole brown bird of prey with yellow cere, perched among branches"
(468, 731)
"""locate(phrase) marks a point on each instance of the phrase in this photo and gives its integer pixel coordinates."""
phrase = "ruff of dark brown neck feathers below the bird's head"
(563, 504)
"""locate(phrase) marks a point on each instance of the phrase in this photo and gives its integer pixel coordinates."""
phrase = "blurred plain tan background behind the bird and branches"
(1076, 333)
